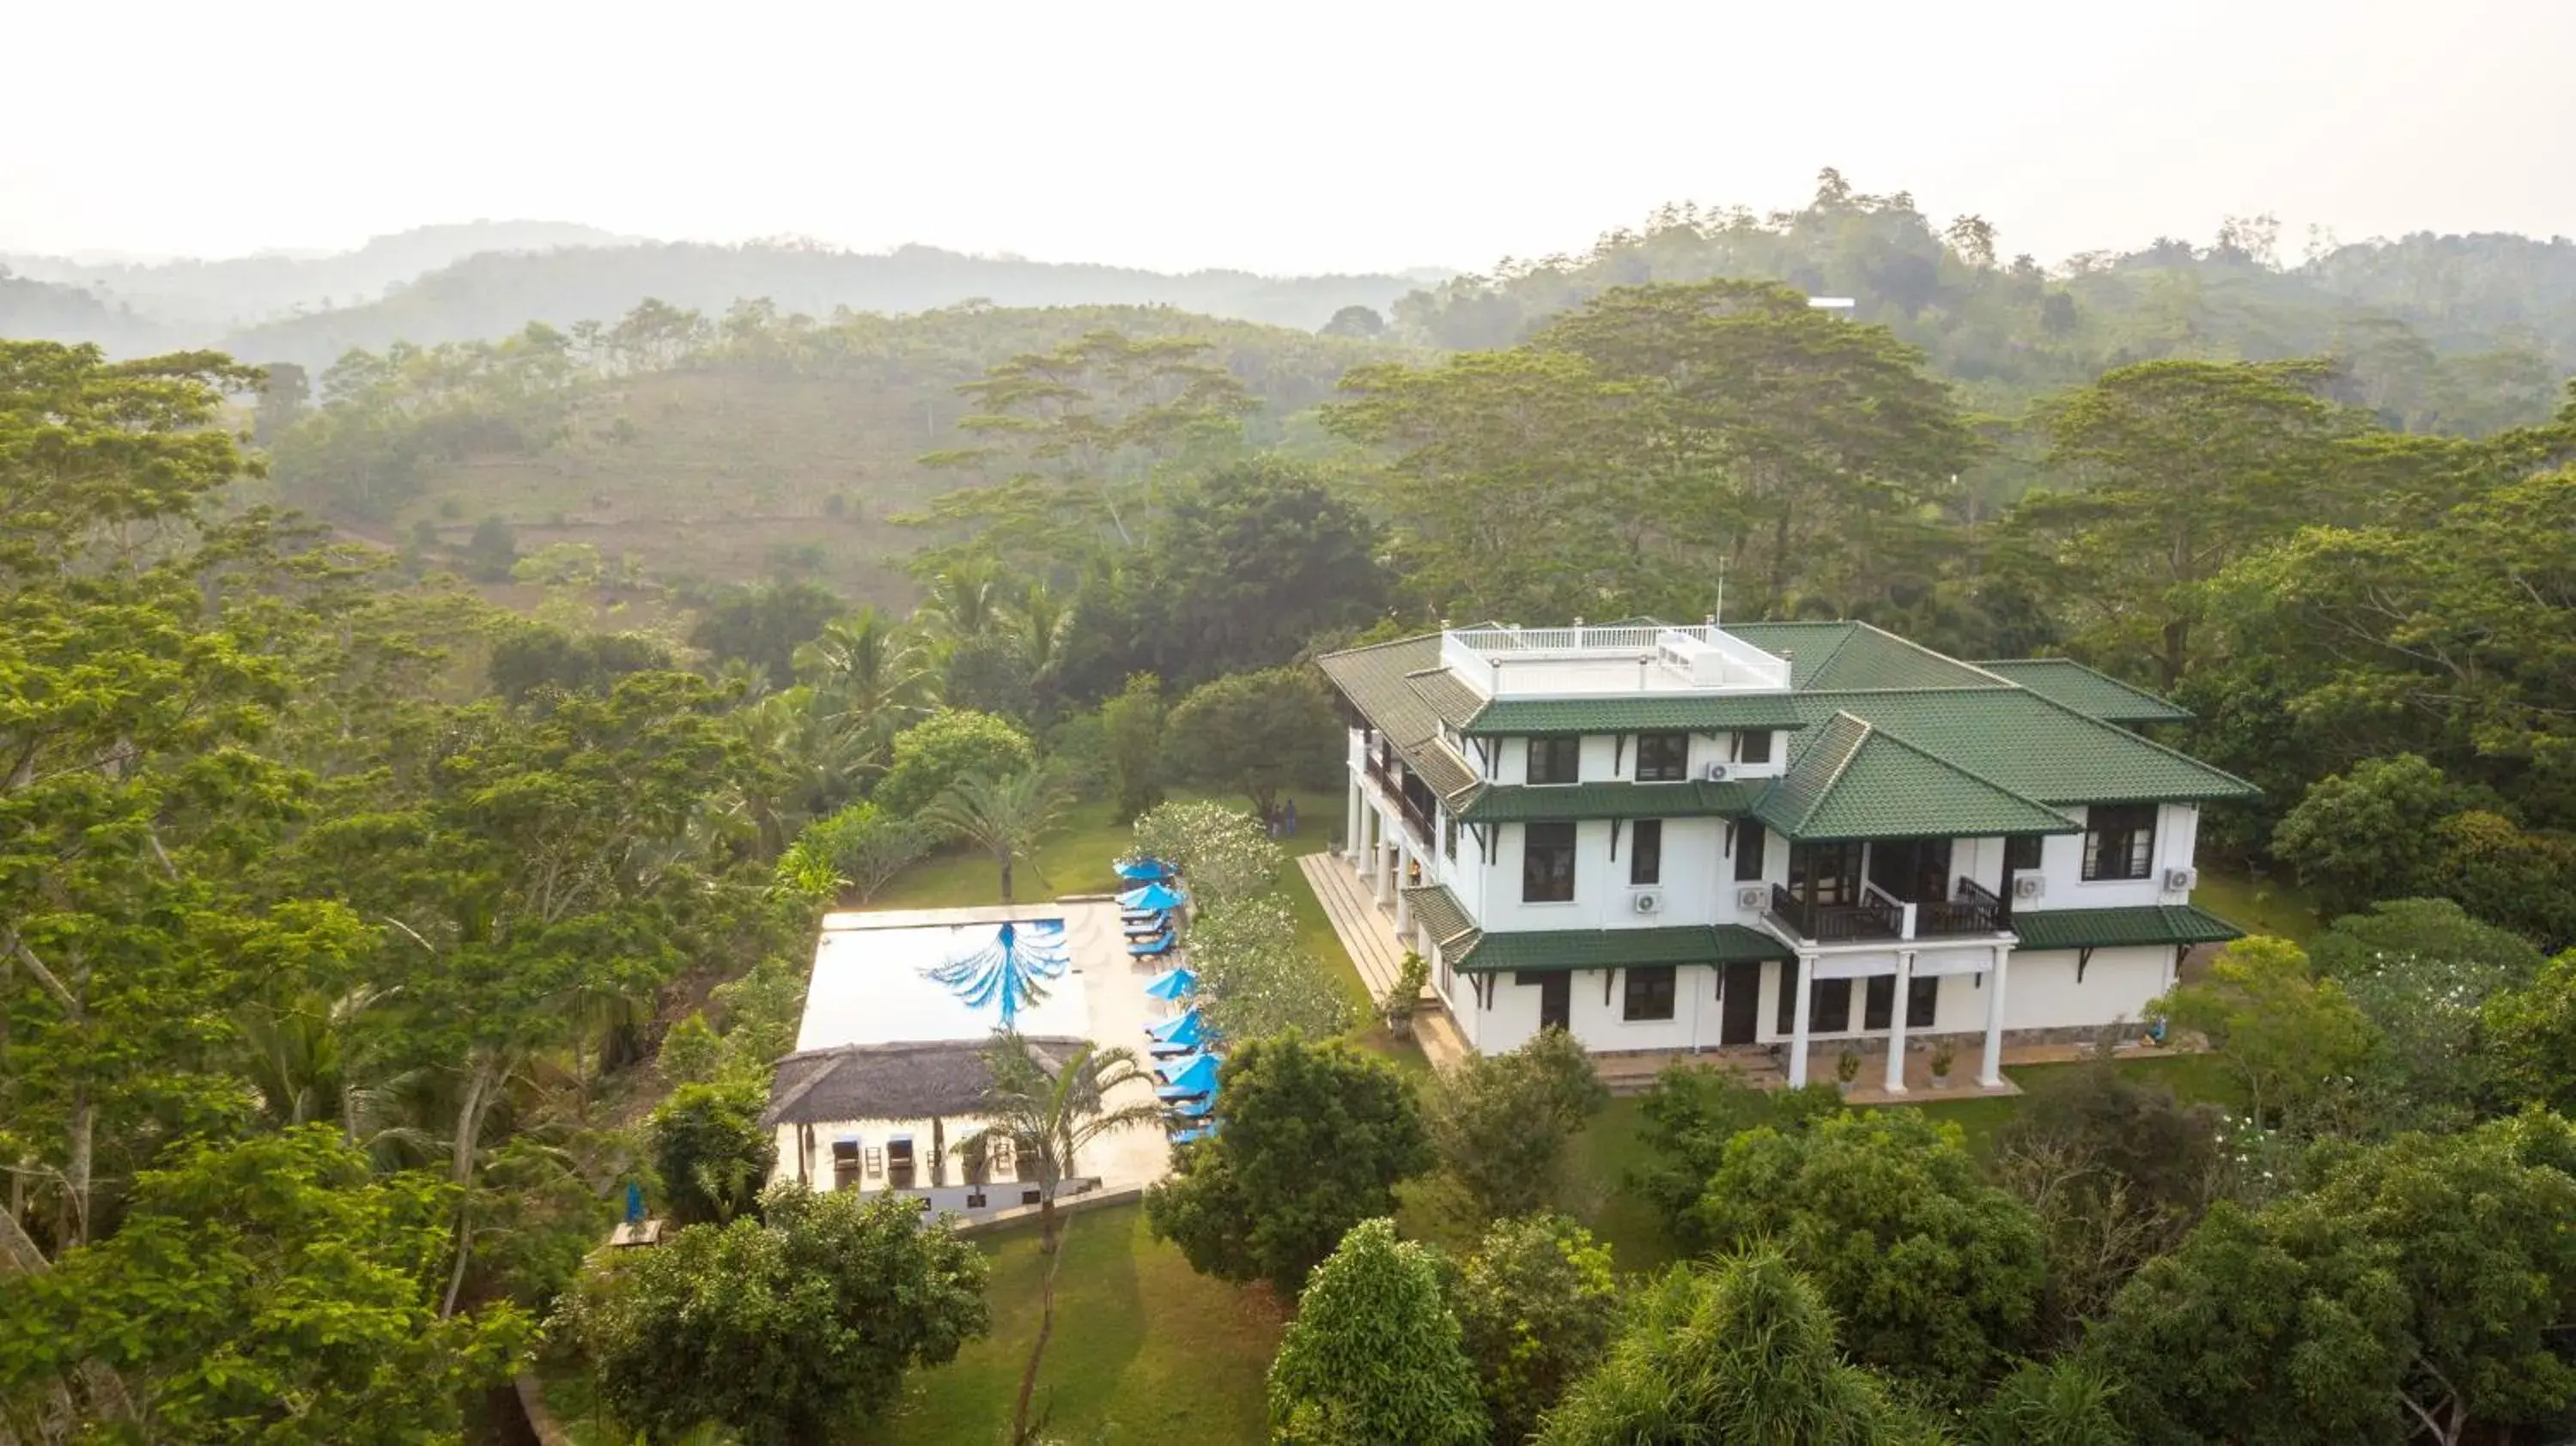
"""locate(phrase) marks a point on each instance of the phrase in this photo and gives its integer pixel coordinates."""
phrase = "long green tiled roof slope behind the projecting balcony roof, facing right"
(2031, 746)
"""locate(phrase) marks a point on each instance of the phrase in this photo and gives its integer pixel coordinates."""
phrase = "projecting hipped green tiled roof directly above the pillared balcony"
(1861, 782)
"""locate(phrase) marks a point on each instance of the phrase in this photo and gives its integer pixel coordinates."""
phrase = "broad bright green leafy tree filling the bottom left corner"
(269, 1290)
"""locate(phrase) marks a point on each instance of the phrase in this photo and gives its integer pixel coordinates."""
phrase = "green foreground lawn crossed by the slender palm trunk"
(1145, 1349)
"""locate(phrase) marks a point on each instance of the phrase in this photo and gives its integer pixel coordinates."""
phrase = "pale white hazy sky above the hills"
(1276, 138)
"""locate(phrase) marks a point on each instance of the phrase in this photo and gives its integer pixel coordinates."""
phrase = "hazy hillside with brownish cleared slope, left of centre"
(756, 450)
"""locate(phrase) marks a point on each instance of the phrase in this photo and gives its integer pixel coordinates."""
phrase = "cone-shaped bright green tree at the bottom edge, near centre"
(1374, 1352)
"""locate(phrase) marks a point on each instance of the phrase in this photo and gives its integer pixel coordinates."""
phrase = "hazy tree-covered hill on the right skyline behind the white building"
(2461, 334)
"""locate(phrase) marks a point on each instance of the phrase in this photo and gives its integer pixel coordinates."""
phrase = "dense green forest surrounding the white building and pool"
(398, 875)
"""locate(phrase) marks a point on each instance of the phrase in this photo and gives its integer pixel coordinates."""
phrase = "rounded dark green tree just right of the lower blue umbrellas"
(1315, 1141)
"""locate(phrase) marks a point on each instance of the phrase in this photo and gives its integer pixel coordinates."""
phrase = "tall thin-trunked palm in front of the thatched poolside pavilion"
(1050, 1117)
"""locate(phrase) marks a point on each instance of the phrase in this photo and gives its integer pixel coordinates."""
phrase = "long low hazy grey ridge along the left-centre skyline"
(488, 298)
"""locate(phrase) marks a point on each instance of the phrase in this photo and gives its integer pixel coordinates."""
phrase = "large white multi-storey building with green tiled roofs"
(1673, 839)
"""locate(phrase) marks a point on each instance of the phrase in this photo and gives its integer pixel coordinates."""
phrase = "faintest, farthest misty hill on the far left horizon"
(205, 298)
